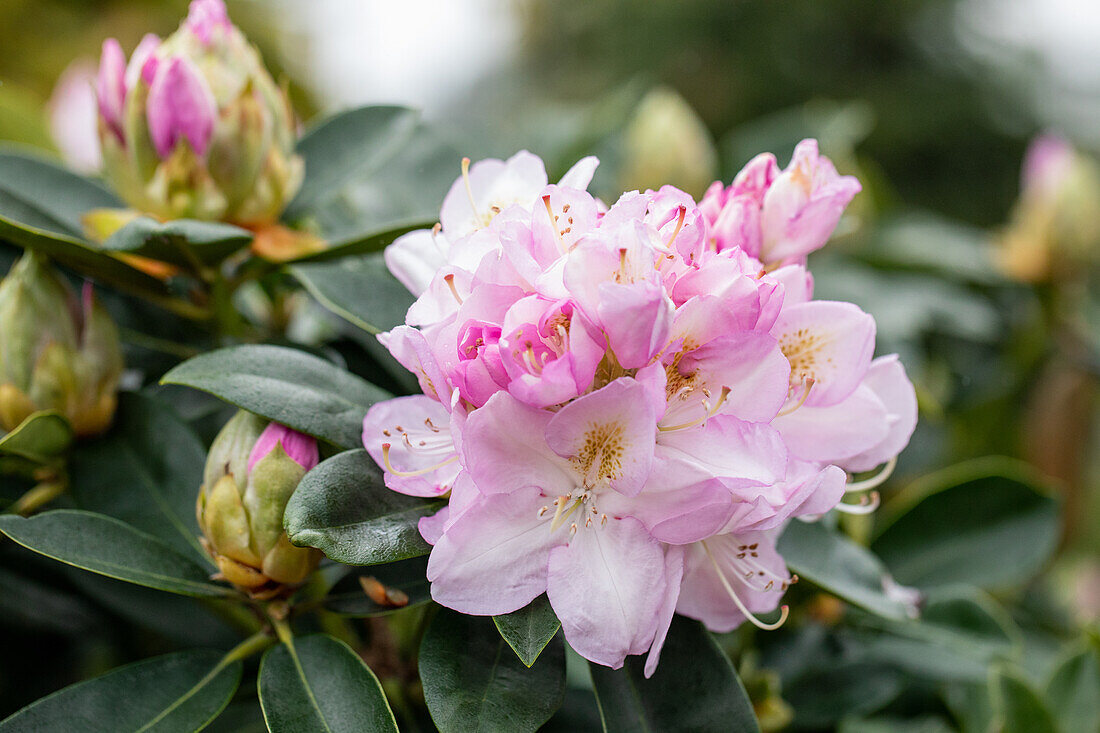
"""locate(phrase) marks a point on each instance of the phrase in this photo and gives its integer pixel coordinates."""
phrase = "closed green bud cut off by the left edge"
(57, 352)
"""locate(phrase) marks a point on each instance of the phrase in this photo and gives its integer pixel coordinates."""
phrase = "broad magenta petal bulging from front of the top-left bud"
(181, 105)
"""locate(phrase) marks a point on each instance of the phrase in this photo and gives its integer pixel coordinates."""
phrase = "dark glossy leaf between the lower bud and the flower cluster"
(345, 509)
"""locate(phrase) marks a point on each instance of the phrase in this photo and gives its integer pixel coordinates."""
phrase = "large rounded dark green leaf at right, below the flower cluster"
(984, 523)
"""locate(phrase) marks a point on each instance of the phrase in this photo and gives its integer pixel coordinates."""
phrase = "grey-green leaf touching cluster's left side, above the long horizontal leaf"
(359, 290)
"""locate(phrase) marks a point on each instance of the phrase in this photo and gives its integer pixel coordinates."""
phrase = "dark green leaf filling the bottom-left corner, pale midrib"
(182, 692)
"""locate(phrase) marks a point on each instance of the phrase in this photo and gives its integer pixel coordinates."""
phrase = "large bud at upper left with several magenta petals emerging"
(195, 126)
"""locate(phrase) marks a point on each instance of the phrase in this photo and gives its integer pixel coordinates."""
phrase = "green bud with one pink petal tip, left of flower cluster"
(252, 469)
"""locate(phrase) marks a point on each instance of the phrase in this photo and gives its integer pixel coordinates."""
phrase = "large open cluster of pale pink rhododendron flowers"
(628, 404)
